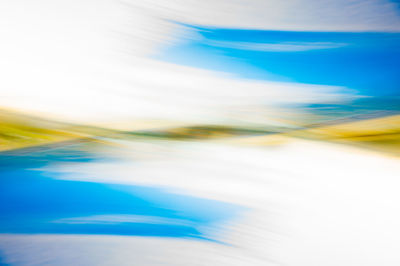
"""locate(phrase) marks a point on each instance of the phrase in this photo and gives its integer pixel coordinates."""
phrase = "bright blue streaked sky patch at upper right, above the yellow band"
(366, 62)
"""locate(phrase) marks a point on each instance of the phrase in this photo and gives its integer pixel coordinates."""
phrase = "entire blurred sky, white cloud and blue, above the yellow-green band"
(318, 50)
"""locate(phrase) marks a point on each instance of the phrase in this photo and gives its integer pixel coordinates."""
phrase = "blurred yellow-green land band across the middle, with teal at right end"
(370, 123)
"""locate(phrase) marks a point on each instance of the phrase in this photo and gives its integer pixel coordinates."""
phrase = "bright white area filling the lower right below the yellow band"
(309, 203)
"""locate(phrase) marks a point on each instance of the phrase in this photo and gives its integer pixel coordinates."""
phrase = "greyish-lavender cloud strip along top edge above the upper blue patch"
(297, 15)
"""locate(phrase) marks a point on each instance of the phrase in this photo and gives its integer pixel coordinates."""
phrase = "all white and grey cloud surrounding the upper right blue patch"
(87, 60)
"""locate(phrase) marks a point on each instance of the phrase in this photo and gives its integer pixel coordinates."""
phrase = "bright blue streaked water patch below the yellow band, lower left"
(34, 201)
